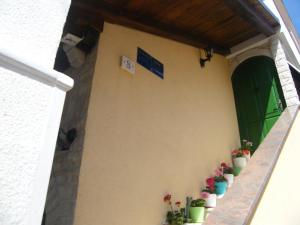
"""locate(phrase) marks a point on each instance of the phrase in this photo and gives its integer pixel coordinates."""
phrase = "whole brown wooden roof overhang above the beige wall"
(220, 24)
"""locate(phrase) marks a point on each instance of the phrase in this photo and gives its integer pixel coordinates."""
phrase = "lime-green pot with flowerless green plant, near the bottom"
(197, 211)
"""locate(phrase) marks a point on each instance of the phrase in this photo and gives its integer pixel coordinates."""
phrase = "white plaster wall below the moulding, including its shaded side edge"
(30, 112)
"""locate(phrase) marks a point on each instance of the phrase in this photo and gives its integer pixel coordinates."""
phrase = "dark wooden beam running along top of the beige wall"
(121, 17)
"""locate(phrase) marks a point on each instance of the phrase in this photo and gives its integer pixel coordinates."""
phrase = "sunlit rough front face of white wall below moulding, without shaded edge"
(20, 135)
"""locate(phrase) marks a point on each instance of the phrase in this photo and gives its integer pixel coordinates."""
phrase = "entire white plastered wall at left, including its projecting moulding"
(31, 101)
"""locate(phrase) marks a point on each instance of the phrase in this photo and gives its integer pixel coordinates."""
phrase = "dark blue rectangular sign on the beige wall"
(150, 63)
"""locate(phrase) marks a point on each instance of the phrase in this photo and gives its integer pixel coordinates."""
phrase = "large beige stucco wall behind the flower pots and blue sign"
(146, 136)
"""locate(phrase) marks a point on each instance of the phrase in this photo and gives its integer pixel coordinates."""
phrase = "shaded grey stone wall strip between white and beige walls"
(62, 191)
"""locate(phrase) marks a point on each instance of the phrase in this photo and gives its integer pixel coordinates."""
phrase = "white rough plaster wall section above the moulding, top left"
(31, 29)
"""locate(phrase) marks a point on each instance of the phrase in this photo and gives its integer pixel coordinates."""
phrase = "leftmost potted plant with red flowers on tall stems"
(177, 216)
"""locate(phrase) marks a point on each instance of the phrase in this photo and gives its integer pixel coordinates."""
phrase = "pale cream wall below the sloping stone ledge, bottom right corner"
(280, 203)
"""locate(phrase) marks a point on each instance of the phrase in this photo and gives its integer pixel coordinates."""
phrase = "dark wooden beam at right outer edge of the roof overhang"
(249, 14)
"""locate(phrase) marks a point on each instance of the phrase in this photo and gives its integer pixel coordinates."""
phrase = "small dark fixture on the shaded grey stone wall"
(65, 139)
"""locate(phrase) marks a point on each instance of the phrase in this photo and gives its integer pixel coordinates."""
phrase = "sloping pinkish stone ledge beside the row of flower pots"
(240, 202)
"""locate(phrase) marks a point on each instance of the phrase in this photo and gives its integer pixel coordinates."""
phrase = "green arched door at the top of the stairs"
(258, 98)
